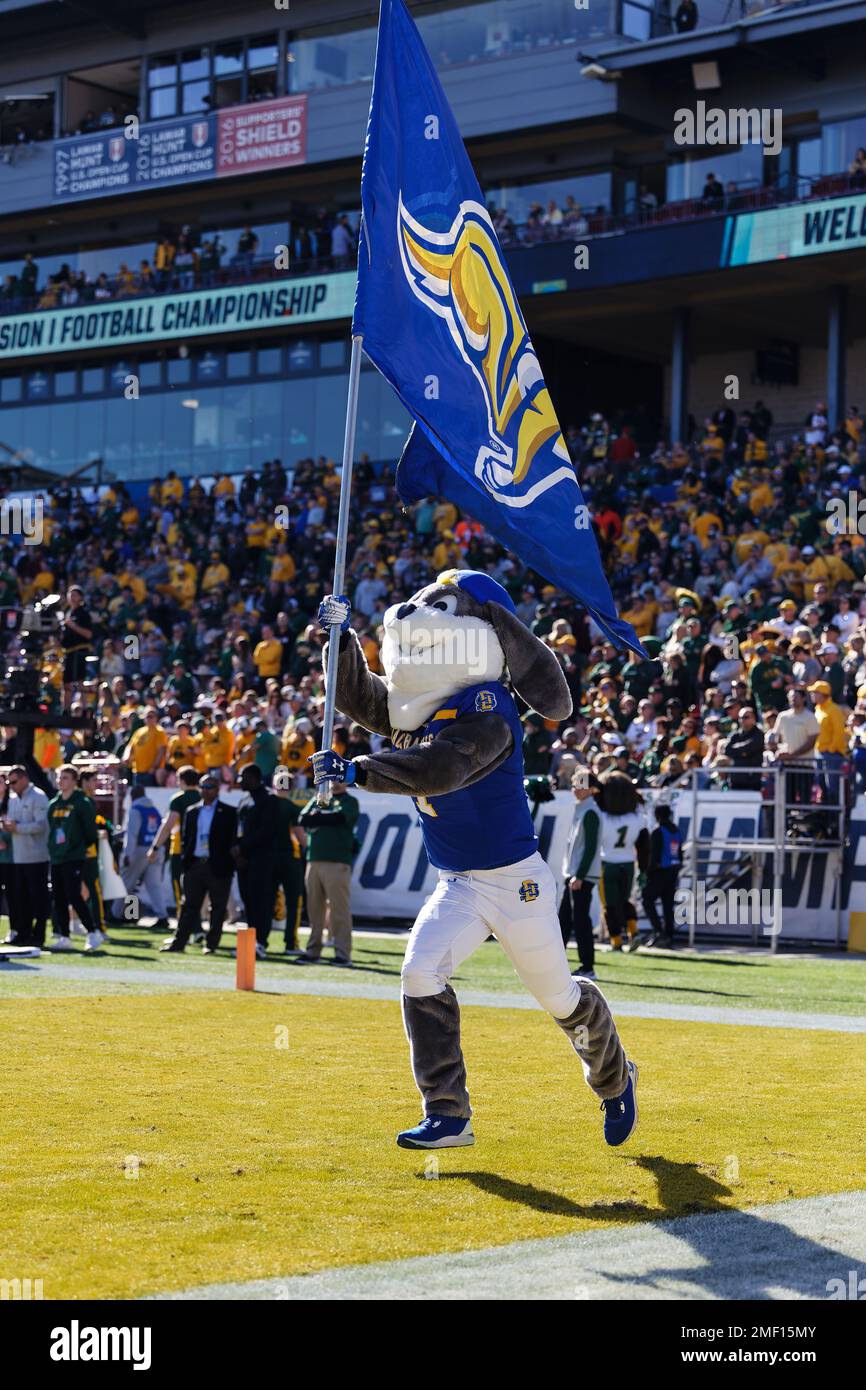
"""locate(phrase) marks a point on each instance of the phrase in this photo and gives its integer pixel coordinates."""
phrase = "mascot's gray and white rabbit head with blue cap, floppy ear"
(459, 632)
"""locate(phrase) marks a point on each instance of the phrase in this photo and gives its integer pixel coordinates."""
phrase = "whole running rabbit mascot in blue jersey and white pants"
(458, 751)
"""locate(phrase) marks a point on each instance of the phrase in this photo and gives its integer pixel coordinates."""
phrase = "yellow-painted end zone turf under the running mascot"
(161, 1143)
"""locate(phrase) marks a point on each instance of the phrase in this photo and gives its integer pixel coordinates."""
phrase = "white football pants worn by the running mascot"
(518, 906)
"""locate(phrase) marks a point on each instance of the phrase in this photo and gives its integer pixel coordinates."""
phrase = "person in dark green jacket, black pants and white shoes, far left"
(72, 833)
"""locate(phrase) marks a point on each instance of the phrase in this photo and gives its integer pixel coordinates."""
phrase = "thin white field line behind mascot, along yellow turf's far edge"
(348, 989)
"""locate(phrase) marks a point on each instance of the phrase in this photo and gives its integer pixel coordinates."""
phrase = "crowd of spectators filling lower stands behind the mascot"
(721, 553)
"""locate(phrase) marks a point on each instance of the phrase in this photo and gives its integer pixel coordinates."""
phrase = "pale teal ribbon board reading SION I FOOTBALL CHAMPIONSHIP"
(159, 318)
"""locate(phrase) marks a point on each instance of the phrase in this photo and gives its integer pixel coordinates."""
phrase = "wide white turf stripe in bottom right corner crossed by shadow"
(785, 1250)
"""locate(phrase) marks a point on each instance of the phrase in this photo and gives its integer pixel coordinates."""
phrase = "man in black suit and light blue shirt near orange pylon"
(211, 836)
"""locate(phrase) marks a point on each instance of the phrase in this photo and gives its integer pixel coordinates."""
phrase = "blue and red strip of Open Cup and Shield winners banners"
(243, 140)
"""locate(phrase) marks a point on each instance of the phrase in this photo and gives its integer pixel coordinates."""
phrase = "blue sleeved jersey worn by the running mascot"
(489, 825)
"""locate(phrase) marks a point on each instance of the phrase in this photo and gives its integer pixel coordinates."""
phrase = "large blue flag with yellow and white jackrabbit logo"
(440, 319)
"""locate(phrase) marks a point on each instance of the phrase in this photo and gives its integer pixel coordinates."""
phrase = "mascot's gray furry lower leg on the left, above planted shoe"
(433, 1028)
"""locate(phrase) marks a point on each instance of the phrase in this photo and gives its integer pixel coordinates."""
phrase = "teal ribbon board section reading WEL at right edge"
(838, 224)
